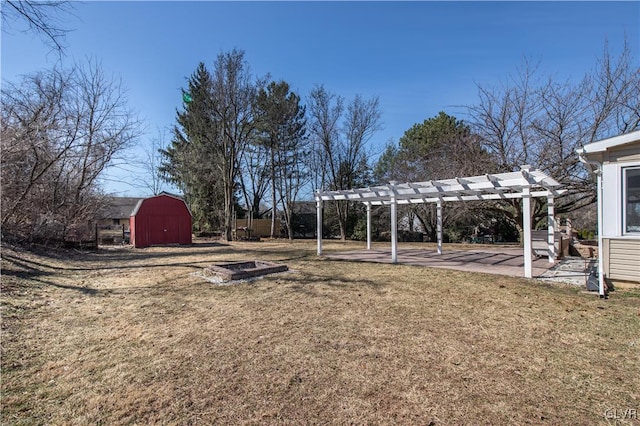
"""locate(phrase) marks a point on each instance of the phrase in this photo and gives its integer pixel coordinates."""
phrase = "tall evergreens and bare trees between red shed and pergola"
(250, 142)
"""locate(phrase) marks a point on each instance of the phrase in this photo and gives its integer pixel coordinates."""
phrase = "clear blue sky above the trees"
(418, 58)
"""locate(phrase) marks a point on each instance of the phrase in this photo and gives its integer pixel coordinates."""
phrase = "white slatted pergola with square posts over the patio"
(522, 184)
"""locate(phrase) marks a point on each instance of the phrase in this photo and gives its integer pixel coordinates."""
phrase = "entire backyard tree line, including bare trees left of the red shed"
(251, 145)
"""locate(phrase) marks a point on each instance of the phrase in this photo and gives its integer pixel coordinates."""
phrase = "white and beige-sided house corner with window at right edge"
(616, 163)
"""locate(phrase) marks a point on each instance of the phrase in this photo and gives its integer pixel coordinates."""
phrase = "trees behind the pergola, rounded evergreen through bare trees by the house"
(528, 119)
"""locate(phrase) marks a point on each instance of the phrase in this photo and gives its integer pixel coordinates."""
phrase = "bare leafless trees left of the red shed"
(61, 129)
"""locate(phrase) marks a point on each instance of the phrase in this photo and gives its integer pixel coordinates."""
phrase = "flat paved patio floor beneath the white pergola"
(502, 261)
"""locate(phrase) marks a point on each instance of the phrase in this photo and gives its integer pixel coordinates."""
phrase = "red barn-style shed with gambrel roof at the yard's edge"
(163, 219)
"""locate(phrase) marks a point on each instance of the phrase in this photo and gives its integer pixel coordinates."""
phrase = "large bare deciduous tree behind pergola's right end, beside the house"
(543, 122)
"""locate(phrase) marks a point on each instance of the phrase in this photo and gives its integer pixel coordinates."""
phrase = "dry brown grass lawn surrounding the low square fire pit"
(138, 337)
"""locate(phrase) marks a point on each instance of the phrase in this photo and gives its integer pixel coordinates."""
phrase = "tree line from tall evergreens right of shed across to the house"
(273, 145)
